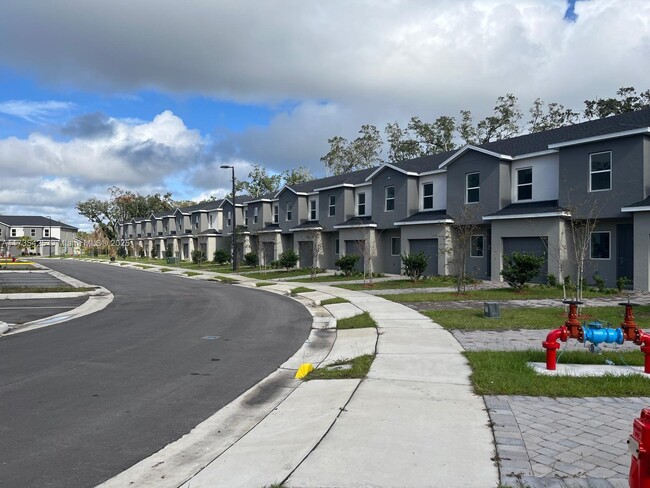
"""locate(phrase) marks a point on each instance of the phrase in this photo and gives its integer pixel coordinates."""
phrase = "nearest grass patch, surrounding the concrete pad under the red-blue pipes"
(506, 373)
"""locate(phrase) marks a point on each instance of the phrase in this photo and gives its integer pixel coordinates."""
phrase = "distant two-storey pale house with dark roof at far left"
(50, 237)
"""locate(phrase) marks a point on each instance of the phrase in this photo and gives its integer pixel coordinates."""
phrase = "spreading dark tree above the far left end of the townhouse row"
(120, 206)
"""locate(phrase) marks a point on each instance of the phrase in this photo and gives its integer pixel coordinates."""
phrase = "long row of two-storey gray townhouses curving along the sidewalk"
(521, 194)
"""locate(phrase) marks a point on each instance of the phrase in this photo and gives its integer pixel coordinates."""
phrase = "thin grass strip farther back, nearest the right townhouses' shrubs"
(530, 293)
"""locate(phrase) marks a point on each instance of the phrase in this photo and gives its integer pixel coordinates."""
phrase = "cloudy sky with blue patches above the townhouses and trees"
(155, 95)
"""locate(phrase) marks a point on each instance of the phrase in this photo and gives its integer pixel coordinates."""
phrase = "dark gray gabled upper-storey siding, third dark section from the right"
(389, 177)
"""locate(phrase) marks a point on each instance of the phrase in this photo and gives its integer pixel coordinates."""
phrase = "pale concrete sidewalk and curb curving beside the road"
(413, 421)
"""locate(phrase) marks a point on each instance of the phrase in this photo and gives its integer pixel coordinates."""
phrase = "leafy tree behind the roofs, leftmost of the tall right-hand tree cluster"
(363, 152)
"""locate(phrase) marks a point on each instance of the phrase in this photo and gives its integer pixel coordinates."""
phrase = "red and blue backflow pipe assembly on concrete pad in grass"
(595, 333)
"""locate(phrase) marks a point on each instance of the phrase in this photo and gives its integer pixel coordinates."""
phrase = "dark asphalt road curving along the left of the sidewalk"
(83, 400)
